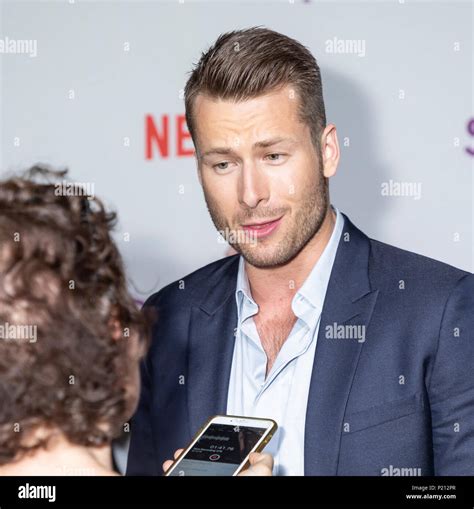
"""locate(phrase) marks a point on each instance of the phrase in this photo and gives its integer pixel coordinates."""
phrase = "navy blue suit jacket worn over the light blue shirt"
(402, 399)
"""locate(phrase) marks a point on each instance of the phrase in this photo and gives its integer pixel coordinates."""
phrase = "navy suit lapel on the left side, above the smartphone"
(211, 345)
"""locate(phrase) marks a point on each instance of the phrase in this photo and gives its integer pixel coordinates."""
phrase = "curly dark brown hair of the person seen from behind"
(61, 273)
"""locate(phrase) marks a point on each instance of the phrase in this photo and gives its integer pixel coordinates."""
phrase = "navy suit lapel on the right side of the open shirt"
(350, 300)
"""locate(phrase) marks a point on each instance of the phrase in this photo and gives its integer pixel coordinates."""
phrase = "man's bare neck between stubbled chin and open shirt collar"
(279, 284)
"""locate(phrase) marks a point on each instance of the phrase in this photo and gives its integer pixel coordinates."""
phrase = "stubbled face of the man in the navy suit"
(262, 177)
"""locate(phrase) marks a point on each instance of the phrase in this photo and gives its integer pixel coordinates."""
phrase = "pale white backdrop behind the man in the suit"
(401, 97)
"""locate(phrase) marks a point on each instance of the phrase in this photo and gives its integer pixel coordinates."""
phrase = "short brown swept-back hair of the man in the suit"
(244, 64)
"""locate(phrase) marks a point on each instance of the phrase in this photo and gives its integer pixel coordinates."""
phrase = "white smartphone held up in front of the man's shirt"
(223, 446)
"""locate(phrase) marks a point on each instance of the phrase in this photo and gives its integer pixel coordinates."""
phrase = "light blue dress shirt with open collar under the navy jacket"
(283, 395)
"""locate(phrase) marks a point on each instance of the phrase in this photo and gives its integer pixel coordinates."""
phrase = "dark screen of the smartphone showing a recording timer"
(219, 451)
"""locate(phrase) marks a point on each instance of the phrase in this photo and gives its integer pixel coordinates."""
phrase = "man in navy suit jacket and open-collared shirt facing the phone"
(360, 351)
